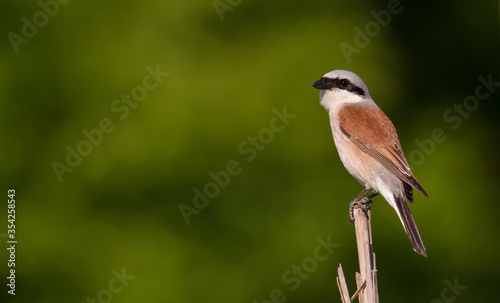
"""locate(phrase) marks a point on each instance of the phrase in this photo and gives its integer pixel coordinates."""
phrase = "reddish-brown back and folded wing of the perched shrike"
(372, 131)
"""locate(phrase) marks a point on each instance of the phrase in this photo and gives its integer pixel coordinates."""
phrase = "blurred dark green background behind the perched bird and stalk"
(228, 73)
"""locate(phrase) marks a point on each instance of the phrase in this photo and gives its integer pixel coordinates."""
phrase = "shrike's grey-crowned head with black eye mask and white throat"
(340, 87)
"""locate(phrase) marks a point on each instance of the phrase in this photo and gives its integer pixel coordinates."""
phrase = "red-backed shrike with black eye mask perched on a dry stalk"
(368, 146)
